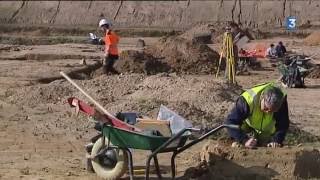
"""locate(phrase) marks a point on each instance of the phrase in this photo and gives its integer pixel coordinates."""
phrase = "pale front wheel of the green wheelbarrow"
(111, 168)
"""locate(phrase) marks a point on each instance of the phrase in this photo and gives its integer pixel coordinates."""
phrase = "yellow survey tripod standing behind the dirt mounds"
(228, 53)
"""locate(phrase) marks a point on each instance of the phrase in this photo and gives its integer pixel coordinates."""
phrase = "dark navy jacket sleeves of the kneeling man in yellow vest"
(241, 111)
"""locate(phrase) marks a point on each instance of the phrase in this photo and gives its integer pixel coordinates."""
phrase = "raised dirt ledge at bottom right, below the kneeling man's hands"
(223, 162)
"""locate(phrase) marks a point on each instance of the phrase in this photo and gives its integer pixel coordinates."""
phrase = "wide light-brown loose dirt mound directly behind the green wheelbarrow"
(198, 99)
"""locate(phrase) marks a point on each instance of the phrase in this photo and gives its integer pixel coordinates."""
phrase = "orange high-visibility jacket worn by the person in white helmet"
(111, 43)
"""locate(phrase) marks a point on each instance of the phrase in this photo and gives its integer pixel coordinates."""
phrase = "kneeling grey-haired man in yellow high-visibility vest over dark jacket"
(263, 112)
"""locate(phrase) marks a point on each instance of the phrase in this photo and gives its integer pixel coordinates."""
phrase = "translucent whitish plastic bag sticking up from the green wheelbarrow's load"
(177, 123)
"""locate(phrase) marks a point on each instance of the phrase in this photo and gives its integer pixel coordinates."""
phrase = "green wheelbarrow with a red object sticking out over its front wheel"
(111, 156)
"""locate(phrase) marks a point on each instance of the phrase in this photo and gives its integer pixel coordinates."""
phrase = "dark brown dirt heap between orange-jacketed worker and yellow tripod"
(172, 54)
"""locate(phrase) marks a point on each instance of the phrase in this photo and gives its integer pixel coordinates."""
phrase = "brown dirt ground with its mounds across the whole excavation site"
(40, 137)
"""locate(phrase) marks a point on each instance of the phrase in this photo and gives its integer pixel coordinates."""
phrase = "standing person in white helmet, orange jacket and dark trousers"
(111, 41)
